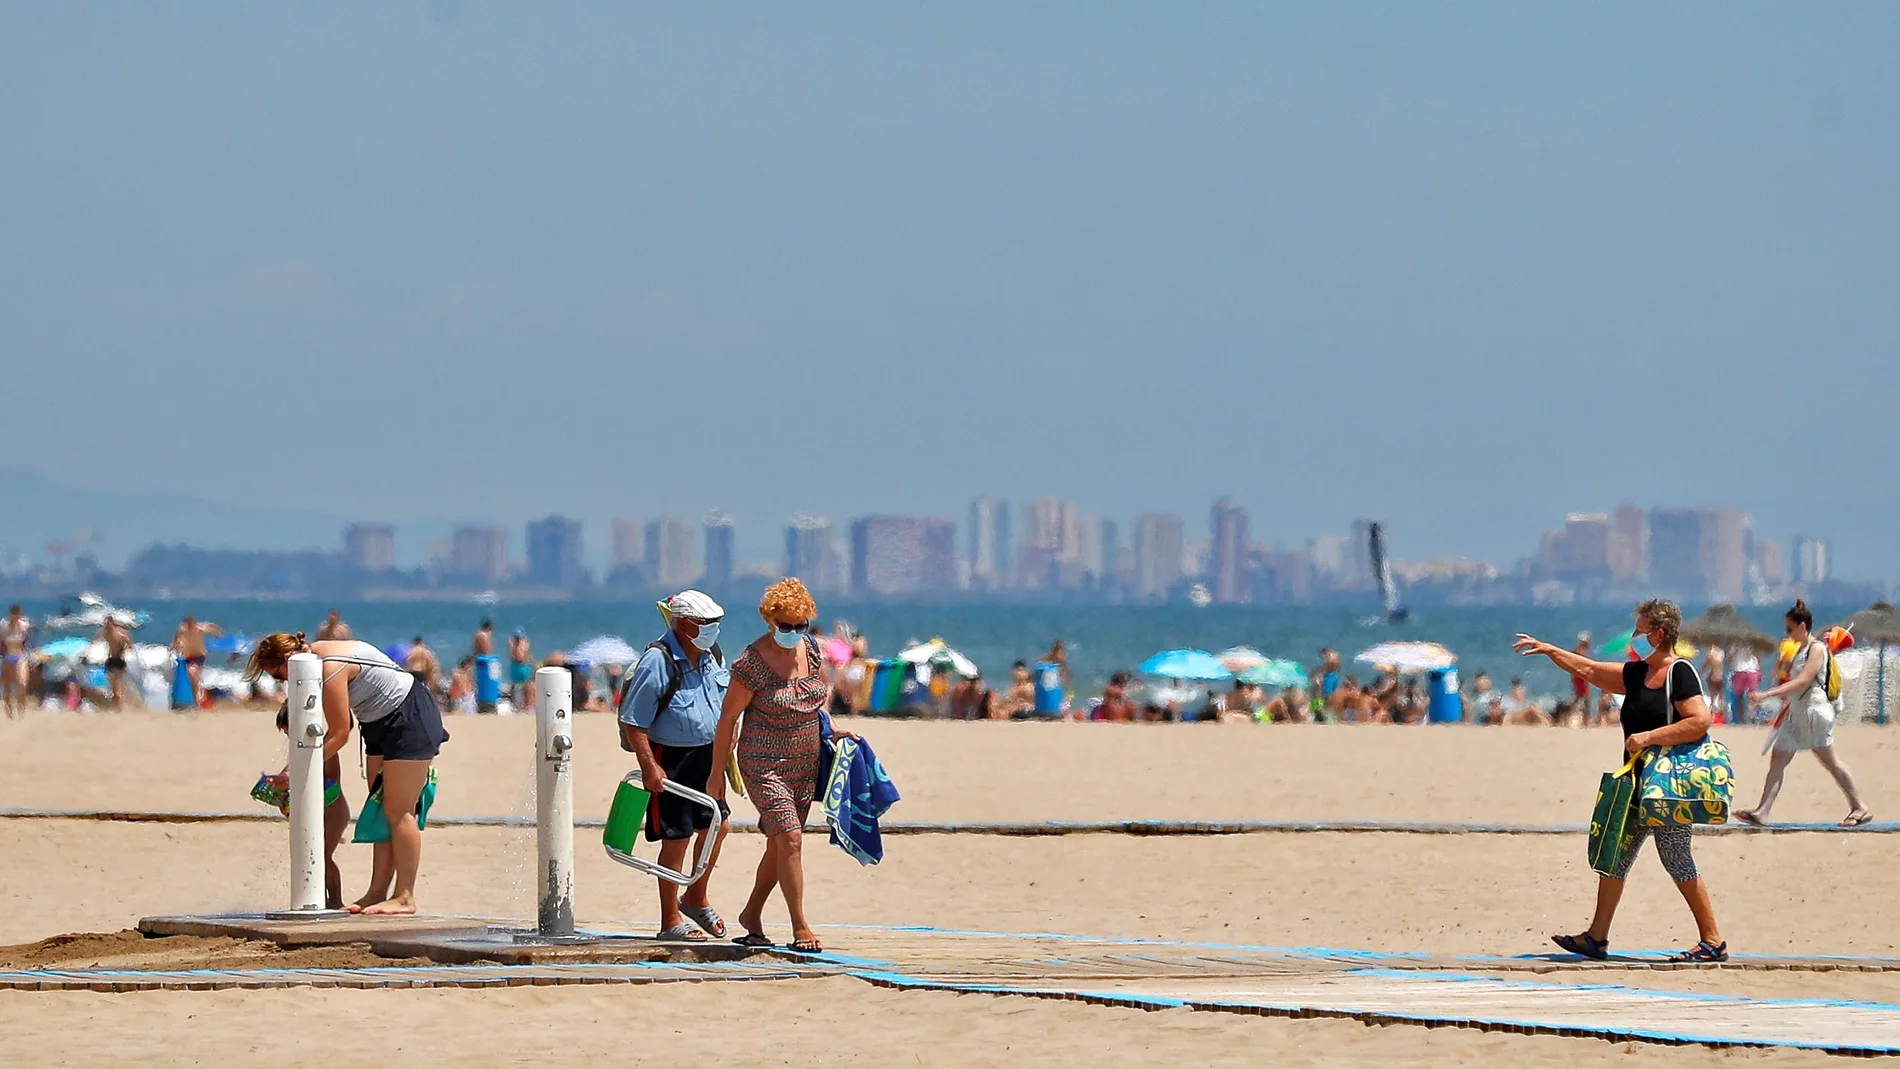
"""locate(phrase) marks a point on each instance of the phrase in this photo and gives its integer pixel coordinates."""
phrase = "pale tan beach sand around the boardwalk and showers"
(1812, 893)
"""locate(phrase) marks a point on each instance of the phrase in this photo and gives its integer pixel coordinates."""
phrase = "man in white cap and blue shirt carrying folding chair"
(668, 719)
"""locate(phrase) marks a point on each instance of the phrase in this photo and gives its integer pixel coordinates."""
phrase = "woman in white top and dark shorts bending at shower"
(402, 736)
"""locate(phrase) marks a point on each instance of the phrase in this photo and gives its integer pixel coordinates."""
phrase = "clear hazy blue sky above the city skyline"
(1460, 267)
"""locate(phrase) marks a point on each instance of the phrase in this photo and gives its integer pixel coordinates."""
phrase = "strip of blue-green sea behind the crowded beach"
(1101, 639)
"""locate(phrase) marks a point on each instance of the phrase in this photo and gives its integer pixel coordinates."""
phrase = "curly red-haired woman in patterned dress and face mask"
(780, 688)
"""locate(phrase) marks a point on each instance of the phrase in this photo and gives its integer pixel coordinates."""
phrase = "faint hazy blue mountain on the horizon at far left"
(35, 512)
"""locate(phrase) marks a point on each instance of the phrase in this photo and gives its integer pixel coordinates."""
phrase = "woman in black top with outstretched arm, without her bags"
(1650, 688)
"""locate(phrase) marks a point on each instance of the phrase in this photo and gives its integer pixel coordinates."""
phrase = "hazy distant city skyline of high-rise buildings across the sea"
(1038, 550)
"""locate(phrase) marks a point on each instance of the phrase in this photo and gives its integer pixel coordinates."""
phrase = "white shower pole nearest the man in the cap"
(554, 802)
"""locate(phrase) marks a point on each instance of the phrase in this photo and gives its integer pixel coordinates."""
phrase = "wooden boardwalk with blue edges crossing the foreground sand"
(1492, 994)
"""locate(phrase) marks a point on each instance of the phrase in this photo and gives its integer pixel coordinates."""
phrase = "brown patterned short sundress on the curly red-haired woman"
(780, 740)
